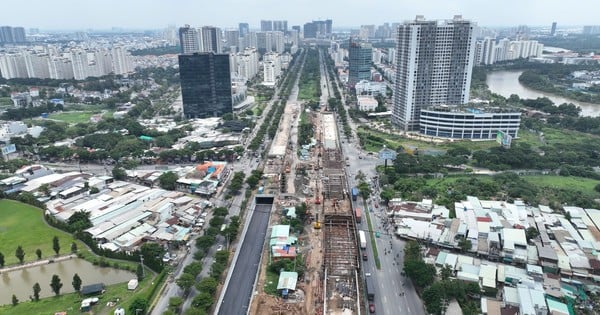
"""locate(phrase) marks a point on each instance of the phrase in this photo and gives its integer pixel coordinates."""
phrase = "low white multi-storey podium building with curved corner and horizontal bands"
(463, 122)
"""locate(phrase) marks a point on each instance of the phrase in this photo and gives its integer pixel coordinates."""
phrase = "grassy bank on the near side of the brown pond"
(72, 301)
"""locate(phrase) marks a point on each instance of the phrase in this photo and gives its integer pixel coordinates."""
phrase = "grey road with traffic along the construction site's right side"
(394, 293)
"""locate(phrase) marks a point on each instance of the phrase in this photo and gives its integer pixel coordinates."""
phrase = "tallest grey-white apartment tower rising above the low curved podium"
(434, 62)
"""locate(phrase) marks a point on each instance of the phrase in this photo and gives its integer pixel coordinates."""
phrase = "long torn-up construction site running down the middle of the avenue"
(313, 174)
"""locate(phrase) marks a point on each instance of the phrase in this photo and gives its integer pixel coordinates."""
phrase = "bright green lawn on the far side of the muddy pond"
(22, 224)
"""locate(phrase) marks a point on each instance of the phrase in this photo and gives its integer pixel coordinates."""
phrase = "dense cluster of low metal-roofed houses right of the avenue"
(522, 274)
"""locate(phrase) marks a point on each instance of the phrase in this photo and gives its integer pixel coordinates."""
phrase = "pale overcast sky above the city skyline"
(156, 14)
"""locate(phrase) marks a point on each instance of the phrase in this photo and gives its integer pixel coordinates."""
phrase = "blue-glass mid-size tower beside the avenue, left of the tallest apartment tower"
(360, 58)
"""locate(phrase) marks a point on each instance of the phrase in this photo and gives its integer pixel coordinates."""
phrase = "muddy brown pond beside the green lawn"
(20, 282)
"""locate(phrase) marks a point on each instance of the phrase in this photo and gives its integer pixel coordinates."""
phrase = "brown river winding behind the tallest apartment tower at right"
(506, 83)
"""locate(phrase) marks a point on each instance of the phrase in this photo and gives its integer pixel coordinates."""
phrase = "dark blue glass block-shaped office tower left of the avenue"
(205, 84)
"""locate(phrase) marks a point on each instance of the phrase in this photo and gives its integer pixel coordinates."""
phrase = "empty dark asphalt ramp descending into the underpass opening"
(236, 299)
